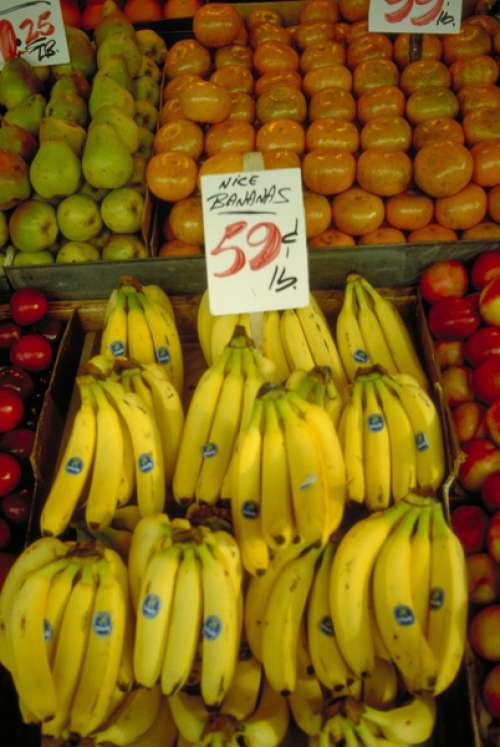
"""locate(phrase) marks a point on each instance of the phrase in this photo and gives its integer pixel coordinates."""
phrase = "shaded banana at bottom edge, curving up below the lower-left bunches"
(133, 719)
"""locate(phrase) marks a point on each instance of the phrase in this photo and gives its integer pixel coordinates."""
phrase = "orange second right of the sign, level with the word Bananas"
(357, 212)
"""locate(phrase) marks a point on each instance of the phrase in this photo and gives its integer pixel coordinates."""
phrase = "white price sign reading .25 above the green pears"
(33, 30)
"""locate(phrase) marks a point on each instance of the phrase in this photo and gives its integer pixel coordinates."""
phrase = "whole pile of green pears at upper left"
(75, 140)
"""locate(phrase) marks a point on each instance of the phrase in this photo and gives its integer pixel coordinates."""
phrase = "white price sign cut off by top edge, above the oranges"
(415, 16)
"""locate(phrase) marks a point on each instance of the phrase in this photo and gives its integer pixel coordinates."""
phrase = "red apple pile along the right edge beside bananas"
(464, 318)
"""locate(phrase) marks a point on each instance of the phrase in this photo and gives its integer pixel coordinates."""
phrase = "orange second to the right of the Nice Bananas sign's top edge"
(384, 173)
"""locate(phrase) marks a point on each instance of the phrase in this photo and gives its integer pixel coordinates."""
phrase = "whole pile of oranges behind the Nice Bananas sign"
(391, 150)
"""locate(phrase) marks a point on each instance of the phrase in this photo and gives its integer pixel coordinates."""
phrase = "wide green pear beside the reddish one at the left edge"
(55, 170)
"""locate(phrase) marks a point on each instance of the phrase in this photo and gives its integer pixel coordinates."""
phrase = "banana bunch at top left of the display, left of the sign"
(139, 324)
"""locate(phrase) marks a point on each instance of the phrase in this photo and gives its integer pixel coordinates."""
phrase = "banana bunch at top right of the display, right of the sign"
(370, 332)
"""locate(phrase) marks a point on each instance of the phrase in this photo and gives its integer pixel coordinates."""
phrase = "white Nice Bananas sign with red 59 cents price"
(255, 241)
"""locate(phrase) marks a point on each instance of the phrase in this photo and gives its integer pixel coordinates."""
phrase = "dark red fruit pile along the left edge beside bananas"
(28, 341)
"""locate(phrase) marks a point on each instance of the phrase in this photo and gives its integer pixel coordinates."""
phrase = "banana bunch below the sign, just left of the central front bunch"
(219, 409)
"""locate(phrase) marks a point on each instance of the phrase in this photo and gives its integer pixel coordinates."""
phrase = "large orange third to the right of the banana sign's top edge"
(443, 169)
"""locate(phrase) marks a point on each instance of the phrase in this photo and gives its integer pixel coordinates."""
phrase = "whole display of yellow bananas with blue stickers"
(306, 570)
